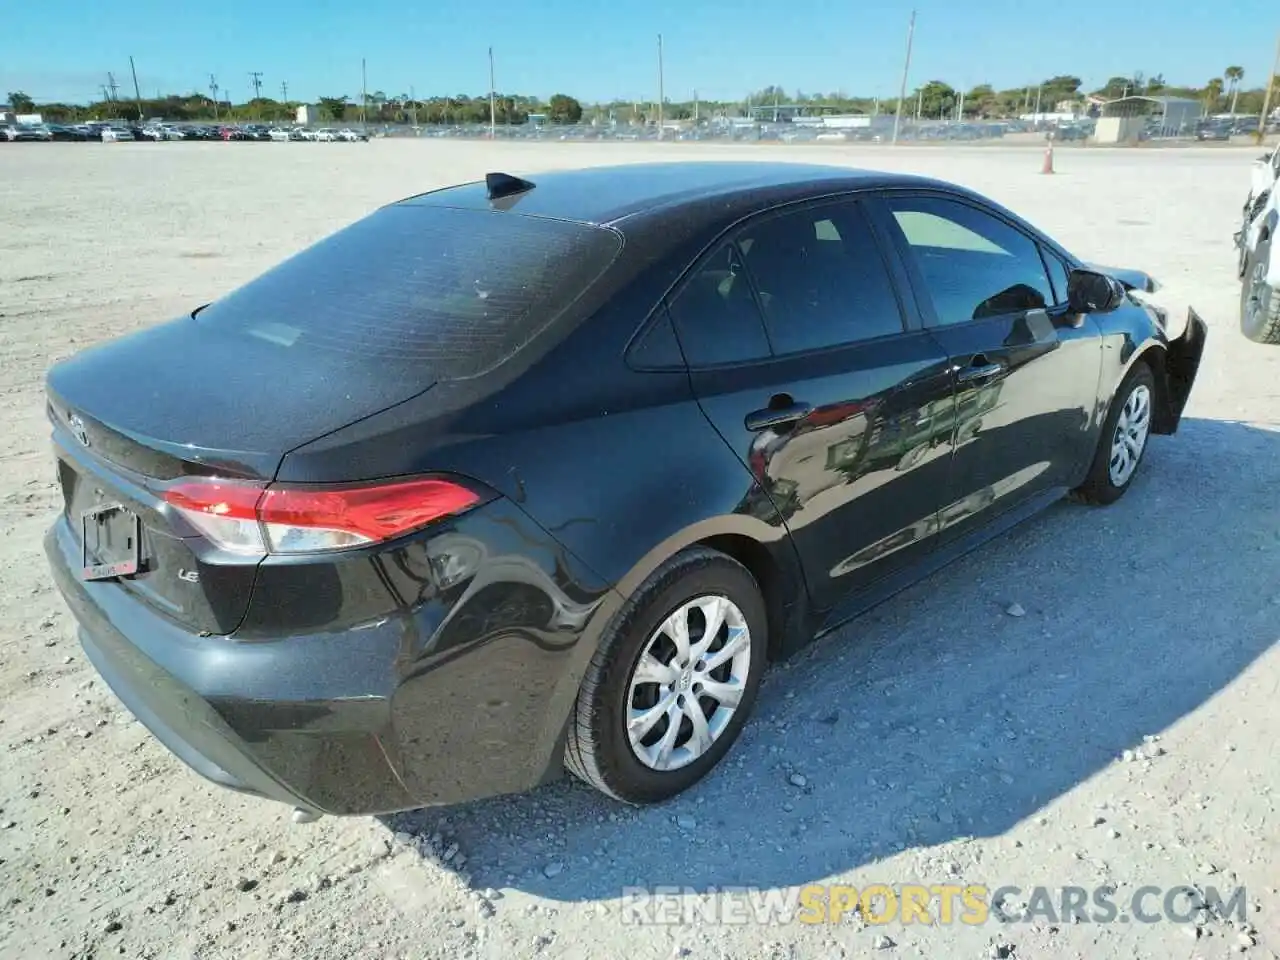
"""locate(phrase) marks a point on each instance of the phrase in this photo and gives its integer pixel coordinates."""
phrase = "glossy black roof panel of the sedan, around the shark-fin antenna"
(606, 195)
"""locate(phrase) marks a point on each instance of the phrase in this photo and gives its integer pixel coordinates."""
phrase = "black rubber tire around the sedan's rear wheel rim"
(598, 749)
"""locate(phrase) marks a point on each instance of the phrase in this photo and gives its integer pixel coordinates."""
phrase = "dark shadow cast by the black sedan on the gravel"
(939, 715)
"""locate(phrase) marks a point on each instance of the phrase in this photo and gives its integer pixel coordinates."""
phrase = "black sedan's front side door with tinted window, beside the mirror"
(1026, 371)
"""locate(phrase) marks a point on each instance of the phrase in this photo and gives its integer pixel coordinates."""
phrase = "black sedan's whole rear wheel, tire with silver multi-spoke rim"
(600, 749)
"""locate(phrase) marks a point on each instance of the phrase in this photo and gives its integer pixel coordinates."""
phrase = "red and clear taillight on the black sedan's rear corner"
(255, 519)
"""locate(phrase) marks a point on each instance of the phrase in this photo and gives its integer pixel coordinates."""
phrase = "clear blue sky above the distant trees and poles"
(63, 49)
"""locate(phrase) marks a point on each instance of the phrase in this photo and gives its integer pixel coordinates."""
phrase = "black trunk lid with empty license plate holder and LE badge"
(180, 400)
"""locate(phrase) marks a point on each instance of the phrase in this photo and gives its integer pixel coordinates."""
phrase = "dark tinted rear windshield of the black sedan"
(456, 291)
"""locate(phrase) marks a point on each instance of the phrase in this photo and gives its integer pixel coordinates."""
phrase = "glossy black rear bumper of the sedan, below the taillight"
(452, 701)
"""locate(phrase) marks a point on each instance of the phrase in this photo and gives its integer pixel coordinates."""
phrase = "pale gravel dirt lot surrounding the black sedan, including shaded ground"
(939, 740)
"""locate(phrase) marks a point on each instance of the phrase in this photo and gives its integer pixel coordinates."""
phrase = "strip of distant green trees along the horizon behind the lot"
(932, 100)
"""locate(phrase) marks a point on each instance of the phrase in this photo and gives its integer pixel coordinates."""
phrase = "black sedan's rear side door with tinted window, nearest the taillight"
(807, 362)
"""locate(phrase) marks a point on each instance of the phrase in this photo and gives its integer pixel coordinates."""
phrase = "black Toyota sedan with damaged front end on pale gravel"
(520, 477)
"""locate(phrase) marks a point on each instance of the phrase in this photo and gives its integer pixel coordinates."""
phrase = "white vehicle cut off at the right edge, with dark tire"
(1260, 257)
